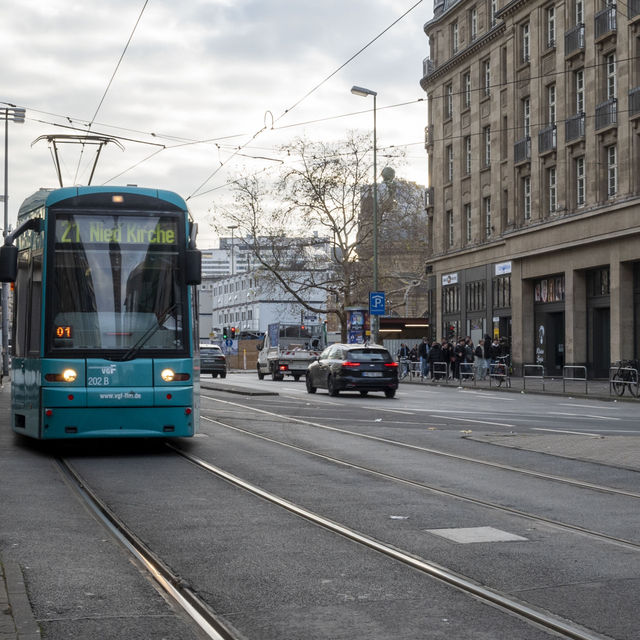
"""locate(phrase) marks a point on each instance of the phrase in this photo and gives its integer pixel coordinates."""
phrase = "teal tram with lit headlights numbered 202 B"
(104, 333)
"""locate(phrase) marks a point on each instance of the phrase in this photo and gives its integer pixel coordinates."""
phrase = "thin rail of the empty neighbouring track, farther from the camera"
(445, 454)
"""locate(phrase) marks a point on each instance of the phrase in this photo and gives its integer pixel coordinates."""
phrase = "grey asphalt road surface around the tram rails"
(533, 497)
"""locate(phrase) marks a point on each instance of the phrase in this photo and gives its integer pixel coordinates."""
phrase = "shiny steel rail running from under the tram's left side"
(196, 609)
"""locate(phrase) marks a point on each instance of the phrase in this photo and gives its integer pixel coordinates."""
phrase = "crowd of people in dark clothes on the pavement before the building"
(454, 354)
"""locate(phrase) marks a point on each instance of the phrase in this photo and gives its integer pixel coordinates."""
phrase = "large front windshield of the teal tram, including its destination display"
(116, 285)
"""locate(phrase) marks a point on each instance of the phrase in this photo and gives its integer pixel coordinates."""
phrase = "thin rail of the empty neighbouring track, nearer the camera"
(601, 537)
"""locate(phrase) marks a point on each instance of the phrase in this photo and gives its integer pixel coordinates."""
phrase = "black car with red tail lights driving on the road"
(353, 367)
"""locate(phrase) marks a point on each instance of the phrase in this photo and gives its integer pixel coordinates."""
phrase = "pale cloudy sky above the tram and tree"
(199, 79)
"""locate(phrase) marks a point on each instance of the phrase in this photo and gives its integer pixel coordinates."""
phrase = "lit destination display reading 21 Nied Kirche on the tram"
(108, 230)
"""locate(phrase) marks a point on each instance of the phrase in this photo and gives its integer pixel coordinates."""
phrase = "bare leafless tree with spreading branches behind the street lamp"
(306, 231)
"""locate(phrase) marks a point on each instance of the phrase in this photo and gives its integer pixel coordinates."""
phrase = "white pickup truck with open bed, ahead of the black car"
(288, 349)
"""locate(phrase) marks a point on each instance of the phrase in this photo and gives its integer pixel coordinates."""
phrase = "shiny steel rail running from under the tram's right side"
(529, 614)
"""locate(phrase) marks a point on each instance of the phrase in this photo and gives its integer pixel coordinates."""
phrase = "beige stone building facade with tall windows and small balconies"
(534, 173)
